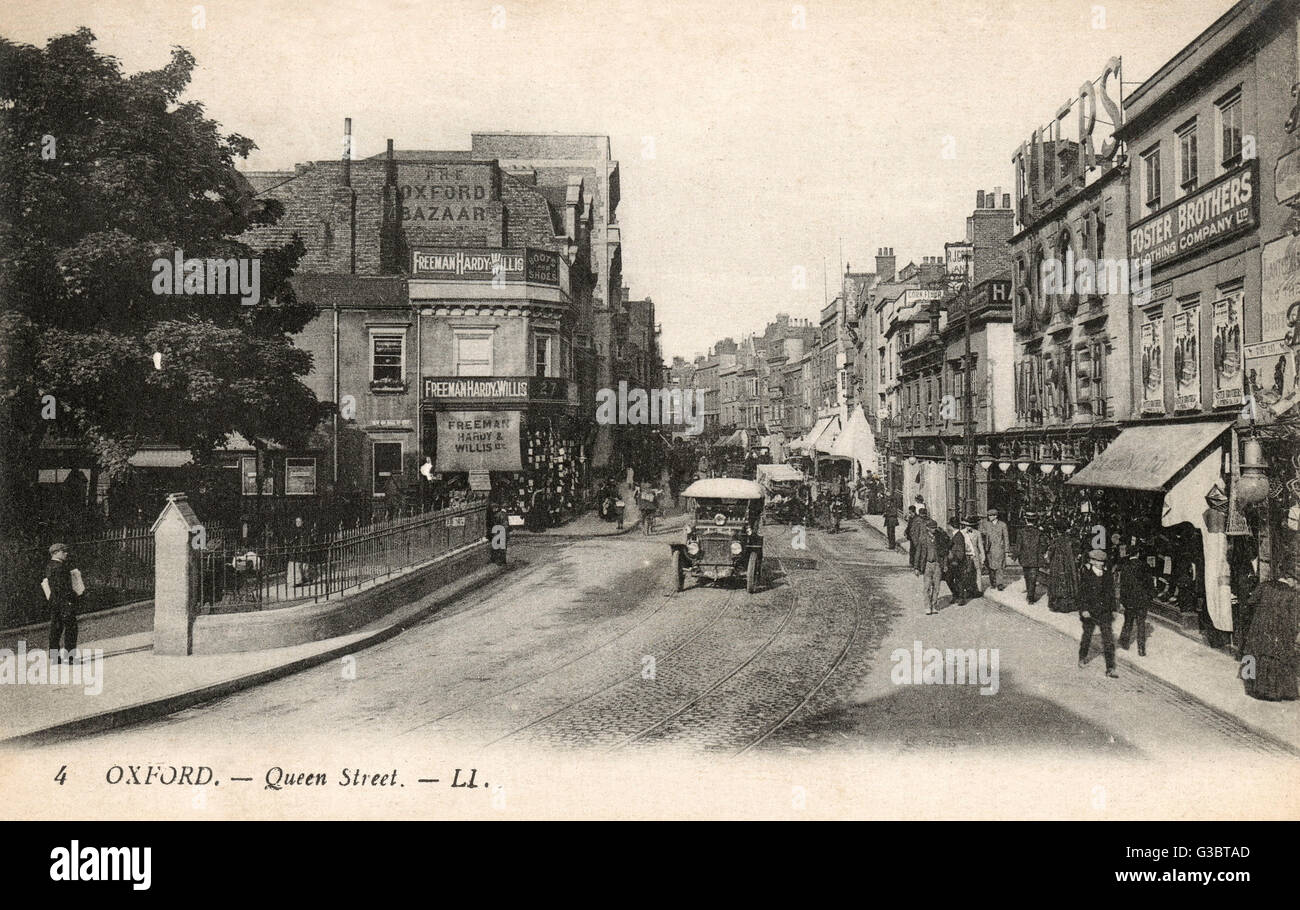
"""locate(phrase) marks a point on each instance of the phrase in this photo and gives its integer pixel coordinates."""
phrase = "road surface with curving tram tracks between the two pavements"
(582, 647)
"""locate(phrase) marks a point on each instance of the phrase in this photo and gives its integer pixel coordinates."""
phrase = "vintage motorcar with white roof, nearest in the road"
(722, 539)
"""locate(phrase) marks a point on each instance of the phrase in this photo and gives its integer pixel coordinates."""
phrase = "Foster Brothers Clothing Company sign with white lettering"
(1219, 211)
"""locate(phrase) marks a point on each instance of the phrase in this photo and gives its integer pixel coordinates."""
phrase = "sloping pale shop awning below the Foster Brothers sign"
(1149, 458)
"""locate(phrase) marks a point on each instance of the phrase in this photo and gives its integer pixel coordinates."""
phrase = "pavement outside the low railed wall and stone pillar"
(141, 686)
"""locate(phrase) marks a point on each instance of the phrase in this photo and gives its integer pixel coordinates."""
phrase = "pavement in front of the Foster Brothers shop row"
(1197, 670)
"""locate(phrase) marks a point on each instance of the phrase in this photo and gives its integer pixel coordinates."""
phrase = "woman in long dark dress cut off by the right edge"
(1269, 649)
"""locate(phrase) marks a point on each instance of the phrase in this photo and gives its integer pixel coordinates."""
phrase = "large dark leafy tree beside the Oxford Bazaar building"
(103, 176)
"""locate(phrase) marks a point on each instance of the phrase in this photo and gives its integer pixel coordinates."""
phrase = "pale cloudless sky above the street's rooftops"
(747, 146)
